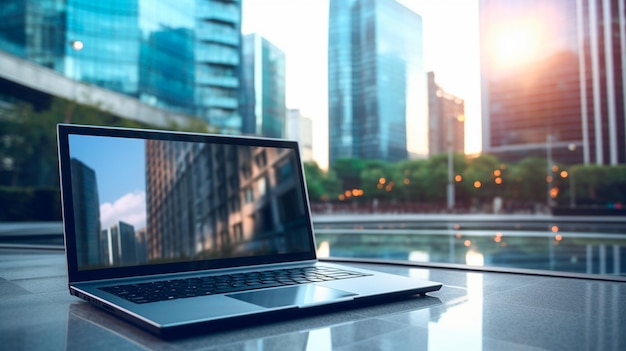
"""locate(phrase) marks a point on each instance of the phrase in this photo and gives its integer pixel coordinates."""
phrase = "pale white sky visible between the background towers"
(300, 29)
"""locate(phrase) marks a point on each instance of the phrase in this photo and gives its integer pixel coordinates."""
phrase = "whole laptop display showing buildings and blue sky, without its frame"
(155, 201)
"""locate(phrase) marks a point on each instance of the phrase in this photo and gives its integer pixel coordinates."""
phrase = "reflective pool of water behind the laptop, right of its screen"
(554, 248)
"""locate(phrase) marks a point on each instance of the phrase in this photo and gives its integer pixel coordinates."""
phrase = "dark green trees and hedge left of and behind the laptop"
(28, 154)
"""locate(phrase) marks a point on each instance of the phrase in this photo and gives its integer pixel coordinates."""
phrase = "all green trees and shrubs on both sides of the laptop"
(28, 170)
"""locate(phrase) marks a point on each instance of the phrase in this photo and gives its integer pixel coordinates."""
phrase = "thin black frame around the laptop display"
(77, 275)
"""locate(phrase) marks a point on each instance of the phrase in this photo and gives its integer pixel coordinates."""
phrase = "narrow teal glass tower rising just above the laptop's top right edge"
(264, 111)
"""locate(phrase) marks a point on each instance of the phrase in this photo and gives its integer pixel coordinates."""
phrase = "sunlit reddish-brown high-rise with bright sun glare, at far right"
(552, 79)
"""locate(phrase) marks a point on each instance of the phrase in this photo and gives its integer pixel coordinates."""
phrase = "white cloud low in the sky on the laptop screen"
(130, 208)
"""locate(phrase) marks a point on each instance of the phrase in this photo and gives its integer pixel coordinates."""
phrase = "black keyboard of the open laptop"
(221, 284)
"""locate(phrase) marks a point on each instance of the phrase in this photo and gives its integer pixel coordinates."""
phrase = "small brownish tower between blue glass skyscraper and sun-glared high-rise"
(446, 120)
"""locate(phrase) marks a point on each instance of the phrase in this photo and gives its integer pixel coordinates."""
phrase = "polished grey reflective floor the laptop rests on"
(473, 311)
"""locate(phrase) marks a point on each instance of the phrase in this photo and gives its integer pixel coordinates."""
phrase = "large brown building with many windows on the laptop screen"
(216, 201)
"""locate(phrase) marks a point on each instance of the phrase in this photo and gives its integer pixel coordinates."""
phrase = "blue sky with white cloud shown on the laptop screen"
(119, 164)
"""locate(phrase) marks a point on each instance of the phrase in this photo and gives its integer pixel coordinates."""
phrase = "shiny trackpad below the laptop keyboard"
(299, 295)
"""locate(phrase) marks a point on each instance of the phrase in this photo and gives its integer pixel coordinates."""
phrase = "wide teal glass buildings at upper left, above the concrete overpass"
(180, 56)
